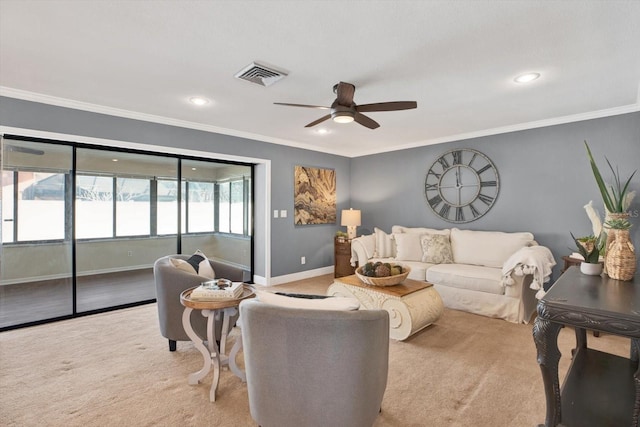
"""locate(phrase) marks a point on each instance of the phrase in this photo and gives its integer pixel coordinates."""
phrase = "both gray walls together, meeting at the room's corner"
(545, 179)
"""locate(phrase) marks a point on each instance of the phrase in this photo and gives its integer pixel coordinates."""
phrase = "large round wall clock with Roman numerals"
(461, 185)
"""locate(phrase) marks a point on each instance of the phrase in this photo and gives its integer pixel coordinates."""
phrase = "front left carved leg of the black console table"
(545, 336)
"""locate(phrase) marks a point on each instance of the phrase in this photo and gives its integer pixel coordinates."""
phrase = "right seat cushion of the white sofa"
(471, 277)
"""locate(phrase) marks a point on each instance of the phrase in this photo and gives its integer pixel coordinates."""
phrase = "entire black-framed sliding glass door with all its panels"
(82, 226)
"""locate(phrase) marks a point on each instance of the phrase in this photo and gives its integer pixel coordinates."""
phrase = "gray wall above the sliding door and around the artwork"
(288, 243)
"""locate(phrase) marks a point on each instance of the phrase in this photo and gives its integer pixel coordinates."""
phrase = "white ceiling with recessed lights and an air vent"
(457, 59)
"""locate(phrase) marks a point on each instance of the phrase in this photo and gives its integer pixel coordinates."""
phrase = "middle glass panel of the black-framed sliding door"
(117, 206)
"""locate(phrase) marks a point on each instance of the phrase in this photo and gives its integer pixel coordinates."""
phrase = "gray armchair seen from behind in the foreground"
(314, 368)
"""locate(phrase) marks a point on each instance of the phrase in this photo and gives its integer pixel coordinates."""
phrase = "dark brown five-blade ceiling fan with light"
(344, 110)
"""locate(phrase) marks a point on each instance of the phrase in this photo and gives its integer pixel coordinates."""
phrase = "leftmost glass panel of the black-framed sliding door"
(36, 271)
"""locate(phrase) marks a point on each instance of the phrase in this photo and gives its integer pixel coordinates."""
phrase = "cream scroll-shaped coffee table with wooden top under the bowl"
(412, 305)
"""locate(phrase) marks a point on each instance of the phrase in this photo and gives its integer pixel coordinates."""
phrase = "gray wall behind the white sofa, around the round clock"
(545, 180)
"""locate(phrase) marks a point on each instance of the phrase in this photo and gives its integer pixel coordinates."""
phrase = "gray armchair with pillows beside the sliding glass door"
(170, 282)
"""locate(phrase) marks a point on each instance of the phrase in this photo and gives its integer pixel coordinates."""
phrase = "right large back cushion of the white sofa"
(486, 248)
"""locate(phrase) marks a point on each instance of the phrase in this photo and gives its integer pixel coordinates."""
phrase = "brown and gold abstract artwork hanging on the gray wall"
(314, 196)
